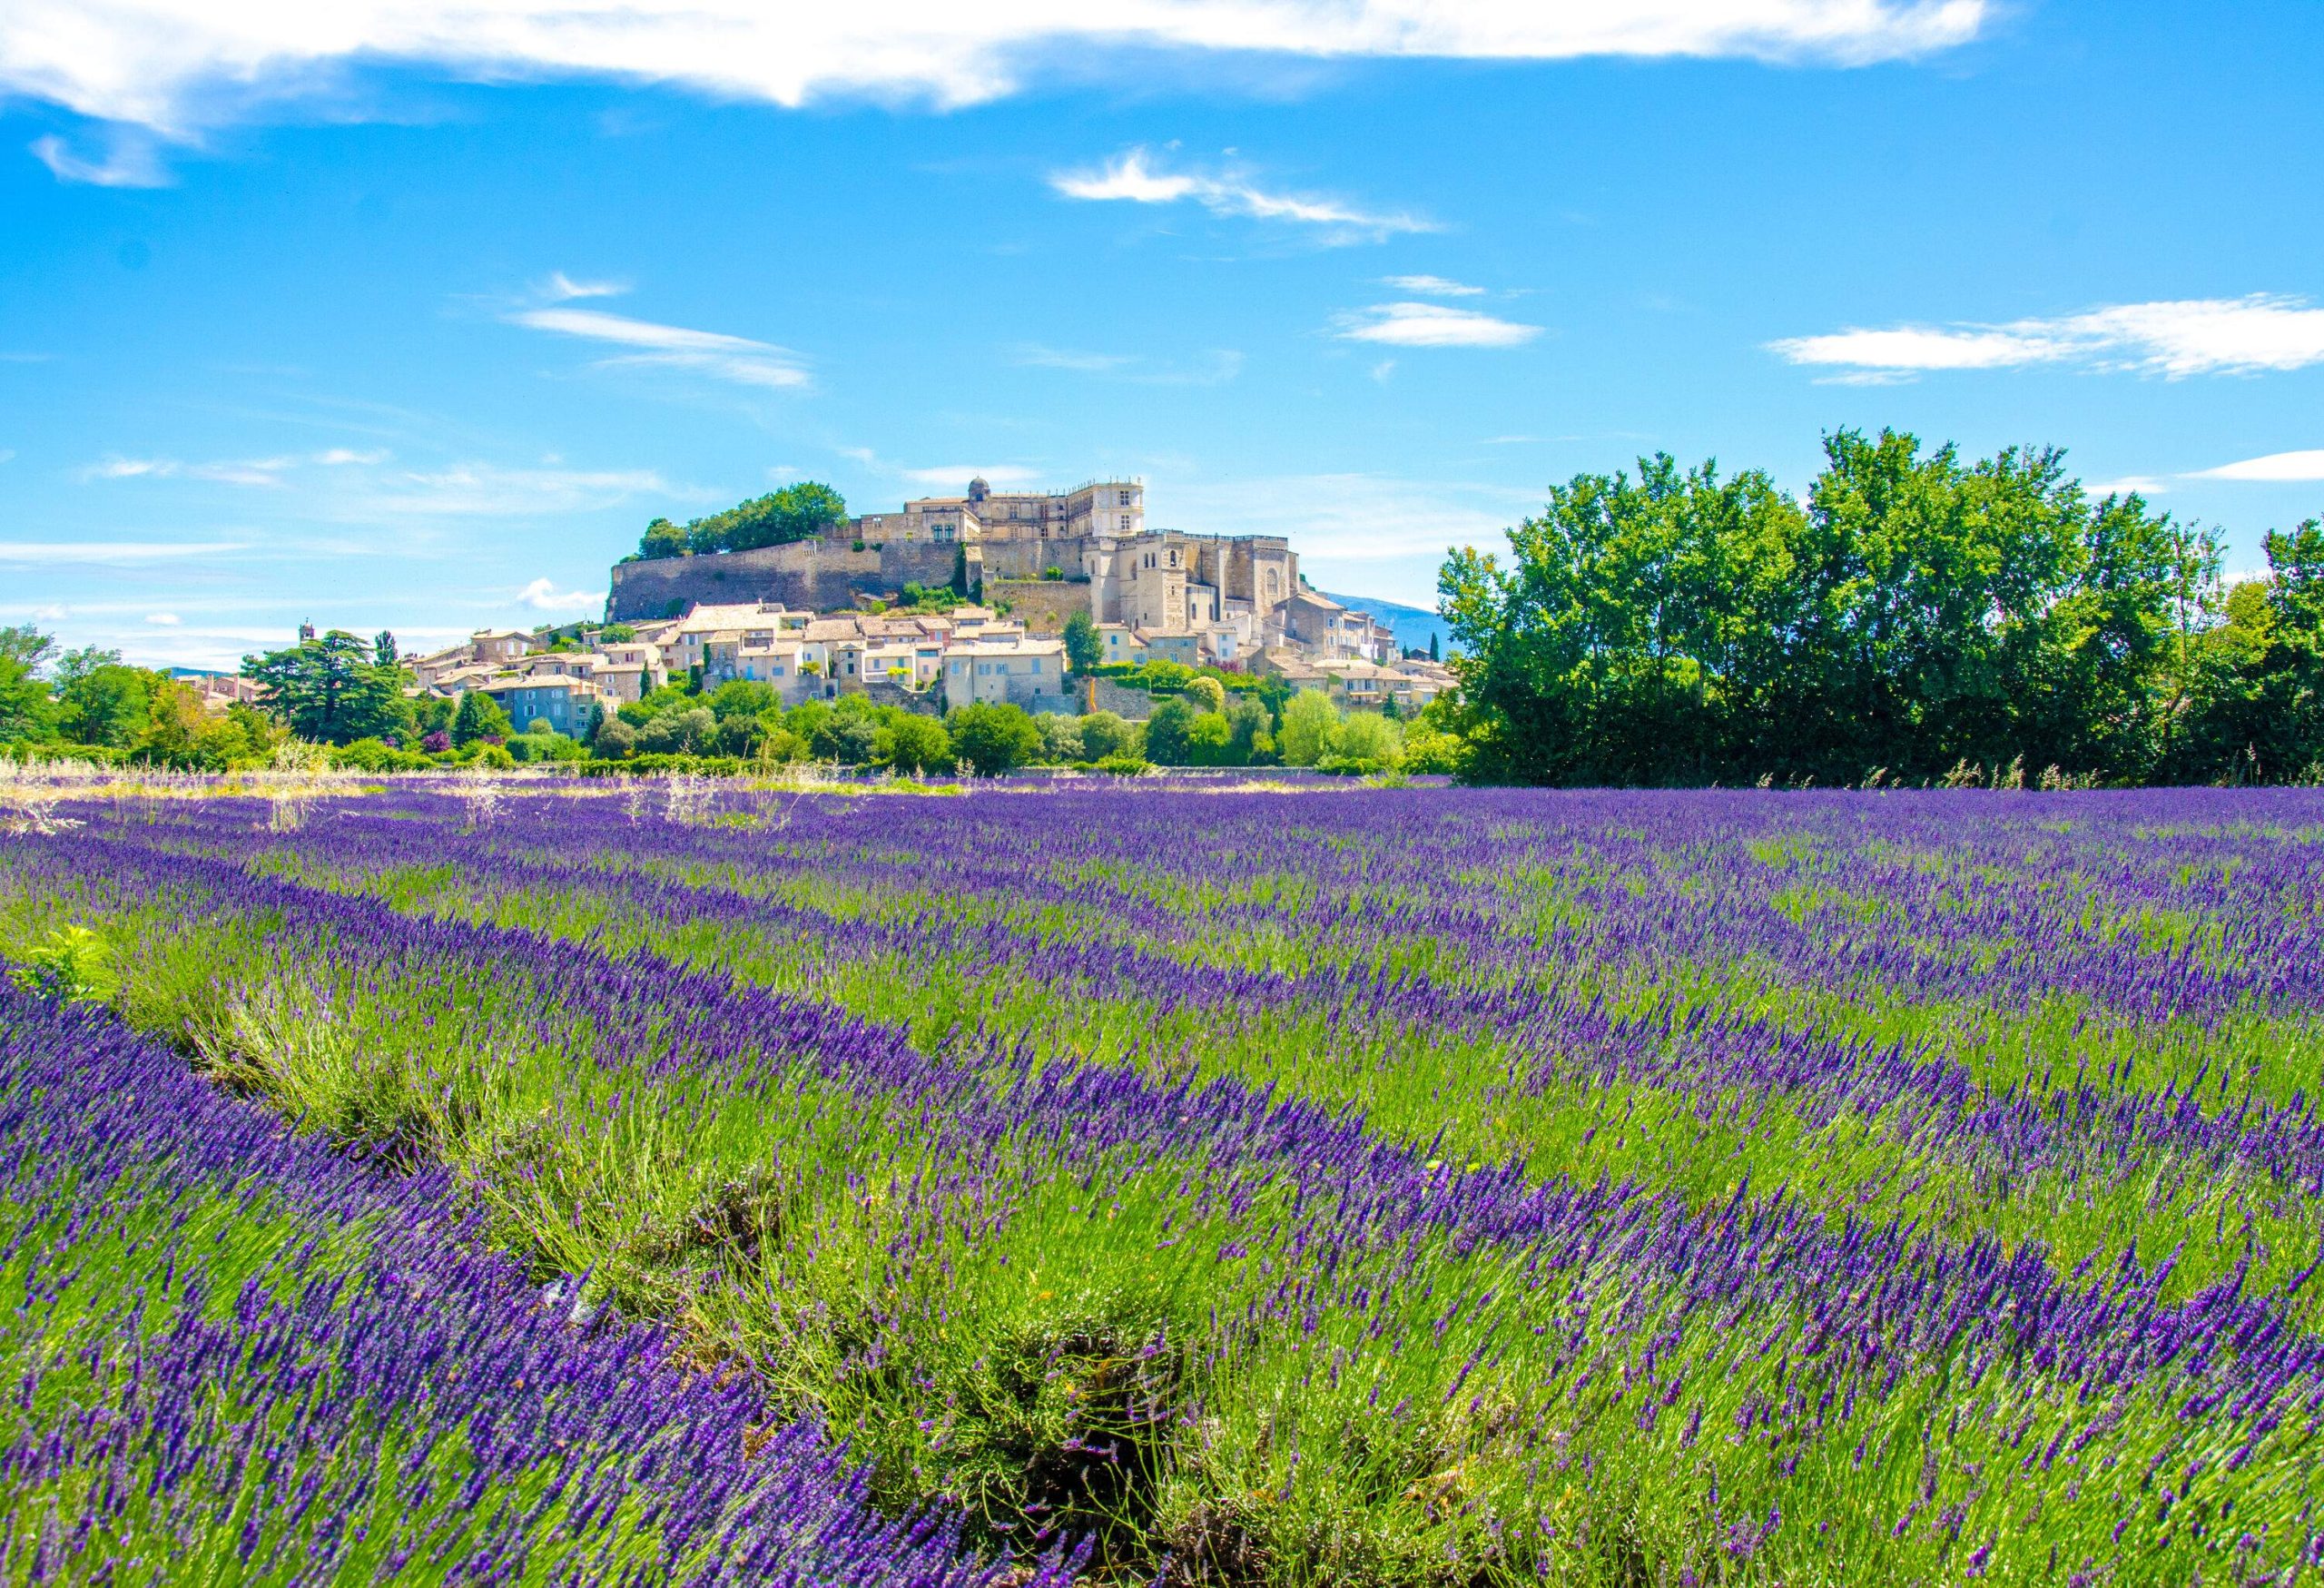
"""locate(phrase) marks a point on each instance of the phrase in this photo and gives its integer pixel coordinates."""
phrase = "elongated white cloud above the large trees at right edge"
(2197, 336)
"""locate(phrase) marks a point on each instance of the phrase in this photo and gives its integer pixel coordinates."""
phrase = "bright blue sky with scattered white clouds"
(413, 320)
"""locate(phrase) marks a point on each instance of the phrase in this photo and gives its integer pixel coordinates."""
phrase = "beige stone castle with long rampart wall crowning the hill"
(1049, 555)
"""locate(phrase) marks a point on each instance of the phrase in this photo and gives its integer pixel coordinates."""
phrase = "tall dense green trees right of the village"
(1914, 617)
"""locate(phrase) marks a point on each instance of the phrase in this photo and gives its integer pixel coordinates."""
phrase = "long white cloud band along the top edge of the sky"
(182, 64)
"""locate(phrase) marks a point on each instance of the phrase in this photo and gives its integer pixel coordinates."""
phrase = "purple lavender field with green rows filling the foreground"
(1163, 1185)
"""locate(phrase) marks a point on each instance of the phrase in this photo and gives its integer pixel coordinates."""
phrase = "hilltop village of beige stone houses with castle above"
(1040, 601)
